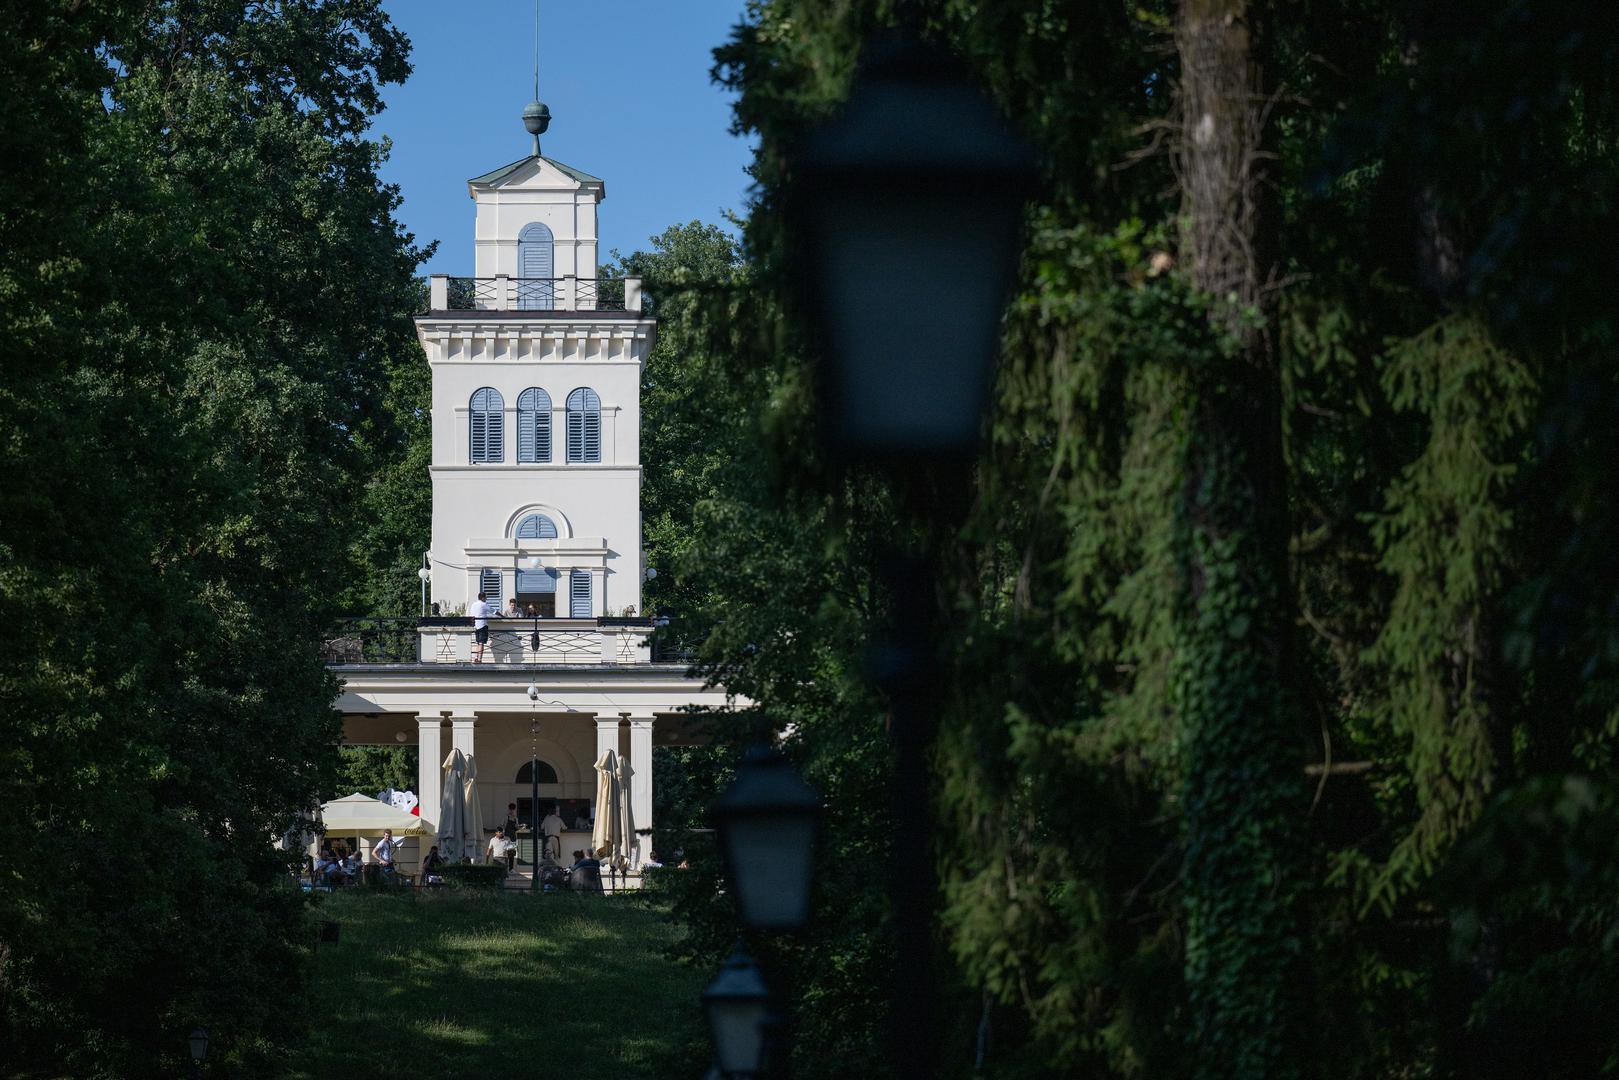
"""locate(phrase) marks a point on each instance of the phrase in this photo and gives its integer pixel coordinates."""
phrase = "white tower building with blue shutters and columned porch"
(537, 483)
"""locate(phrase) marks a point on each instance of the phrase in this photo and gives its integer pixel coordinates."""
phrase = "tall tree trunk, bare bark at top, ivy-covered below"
(1244, 794)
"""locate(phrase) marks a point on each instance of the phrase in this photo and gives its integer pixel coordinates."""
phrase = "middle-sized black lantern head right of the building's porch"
(767, 827)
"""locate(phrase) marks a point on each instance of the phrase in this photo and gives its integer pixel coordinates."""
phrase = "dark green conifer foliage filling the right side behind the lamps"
(1259, 647)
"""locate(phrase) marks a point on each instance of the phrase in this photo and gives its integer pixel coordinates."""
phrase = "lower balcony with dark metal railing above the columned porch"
(512, 642)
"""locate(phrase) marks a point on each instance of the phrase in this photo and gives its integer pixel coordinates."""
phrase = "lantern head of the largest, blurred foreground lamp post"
(909, 206)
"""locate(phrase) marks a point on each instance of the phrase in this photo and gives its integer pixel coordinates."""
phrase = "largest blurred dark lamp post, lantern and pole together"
(909, 208)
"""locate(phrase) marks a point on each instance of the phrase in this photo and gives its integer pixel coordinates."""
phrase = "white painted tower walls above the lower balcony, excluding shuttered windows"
(597, 506)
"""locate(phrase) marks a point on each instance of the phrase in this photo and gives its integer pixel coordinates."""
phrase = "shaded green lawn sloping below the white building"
(496, 985)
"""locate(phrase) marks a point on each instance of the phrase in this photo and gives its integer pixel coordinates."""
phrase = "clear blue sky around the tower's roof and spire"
(631, 98)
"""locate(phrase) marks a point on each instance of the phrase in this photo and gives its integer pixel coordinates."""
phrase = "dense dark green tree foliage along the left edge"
(200, 276)
